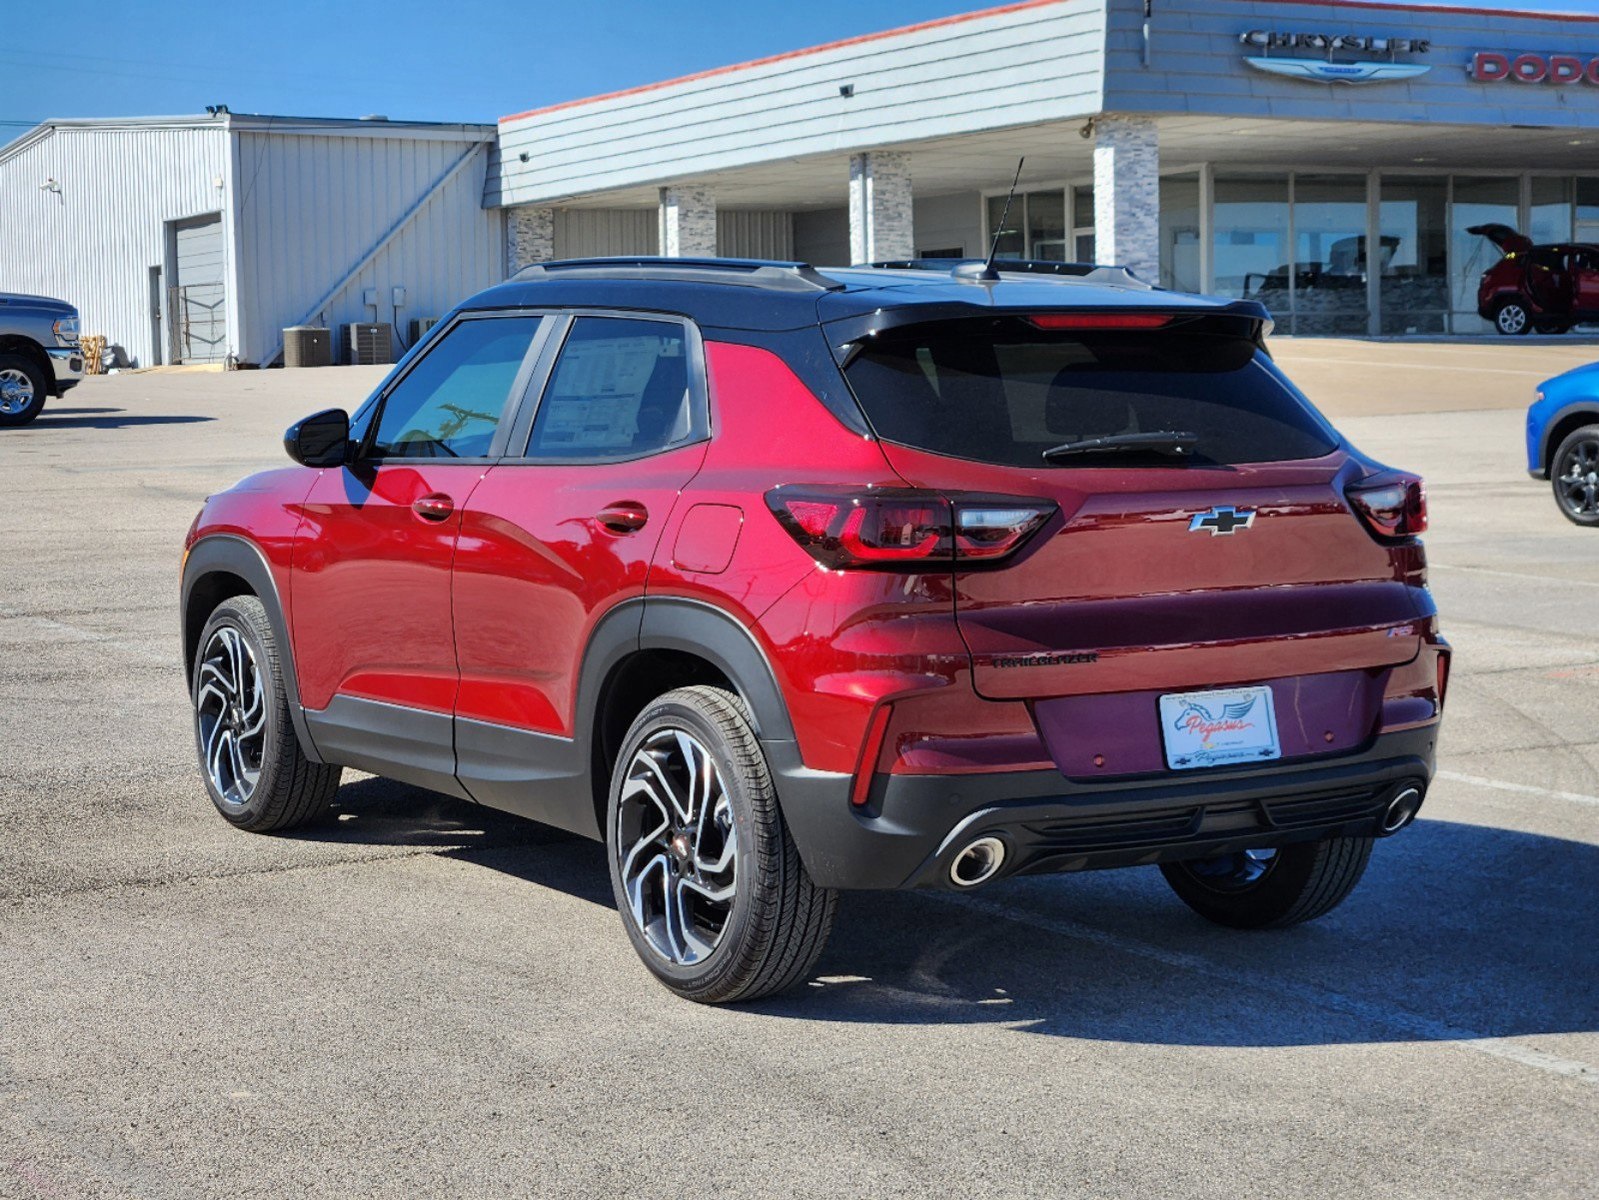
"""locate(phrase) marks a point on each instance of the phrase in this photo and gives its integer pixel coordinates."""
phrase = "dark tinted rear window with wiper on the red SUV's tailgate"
(1003, 391)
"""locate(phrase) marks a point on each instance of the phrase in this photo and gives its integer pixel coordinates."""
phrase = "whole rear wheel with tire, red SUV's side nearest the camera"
(712, 892)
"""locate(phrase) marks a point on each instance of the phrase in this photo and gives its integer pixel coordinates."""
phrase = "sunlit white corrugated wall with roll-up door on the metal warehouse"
(94, 246)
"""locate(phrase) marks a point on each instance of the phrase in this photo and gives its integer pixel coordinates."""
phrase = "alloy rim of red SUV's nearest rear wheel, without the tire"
(677, 847)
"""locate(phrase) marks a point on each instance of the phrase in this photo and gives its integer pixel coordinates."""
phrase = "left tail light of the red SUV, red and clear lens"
(906, 529)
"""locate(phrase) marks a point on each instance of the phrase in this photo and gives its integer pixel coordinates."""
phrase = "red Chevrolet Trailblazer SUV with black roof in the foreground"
(783, 582)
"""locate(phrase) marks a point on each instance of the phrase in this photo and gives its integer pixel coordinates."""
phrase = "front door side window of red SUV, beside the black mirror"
(452, 401)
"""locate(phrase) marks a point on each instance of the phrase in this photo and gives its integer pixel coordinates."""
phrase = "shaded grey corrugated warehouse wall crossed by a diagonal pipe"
(311, 207)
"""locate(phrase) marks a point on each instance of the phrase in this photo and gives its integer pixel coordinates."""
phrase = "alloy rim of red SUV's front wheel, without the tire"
(231, 713)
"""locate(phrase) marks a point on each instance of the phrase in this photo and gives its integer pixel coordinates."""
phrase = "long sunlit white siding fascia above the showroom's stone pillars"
(1019, 68)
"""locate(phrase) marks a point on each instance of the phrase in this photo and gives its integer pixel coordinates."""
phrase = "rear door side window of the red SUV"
(620, 390)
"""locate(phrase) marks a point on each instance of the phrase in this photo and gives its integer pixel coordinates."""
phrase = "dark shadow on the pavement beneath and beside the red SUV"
(1456, 932)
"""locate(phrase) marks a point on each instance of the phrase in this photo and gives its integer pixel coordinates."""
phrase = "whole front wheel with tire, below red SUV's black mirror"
(253, 766)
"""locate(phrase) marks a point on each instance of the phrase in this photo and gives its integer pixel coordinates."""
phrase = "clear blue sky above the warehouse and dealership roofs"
(445, 60)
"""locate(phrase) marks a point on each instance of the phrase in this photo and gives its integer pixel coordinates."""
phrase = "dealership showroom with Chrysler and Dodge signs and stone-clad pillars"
(1325, 159)
